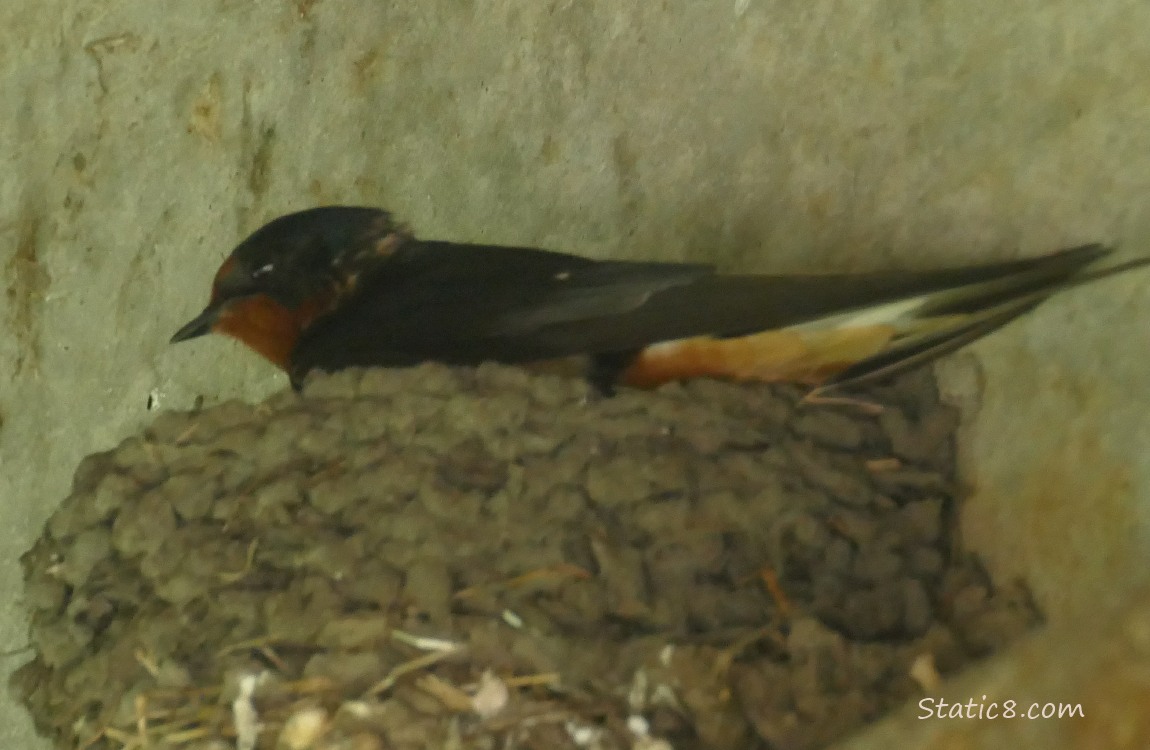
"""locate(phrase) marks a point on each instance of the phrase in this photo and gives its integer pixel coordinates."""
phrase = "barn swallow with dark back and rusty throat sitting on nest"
(348, 287)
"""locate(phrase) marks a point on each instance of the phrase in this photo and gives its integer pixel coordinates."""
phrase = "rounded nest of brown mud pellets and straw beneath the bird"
(481, 558)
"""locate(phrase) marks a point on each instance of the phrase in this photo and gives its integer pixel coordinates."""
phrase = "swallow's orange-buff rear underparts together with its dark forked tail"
(873, 342)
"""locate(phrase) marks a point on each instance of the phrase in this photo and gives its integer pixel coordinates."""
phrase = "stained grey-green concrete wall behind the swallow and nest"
(141, 141)
